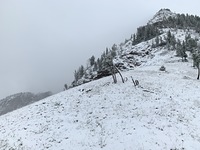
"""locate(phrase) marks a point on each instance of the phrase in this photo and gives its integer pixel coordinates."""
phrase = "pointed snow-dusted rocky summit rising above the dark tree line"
(161, 15)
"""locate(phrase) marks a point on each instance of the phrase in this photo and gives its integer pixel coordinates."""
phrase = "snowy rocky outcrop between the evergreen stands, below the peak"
(143, 53)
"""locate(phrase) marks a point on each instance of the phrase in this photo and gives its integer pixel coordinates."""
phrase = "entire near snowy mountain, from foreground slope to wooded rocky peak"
(162, 112)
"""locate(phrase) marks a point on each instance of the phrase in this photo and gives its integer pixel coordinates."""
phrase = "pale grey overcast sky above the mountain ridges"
(42, 42)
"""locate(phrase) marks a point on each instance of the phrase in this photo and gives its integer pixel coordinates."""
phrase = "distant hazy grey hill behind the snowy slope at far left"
(20, 100)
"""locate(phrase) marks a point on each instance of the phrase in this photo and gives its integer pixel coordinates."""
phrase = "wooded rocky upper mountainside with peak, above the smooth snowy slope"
(177, 32)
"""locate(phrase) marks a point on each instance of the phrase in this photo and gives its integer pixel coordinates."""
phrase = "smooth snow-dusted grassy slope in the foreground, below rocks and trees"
(163, 112)
